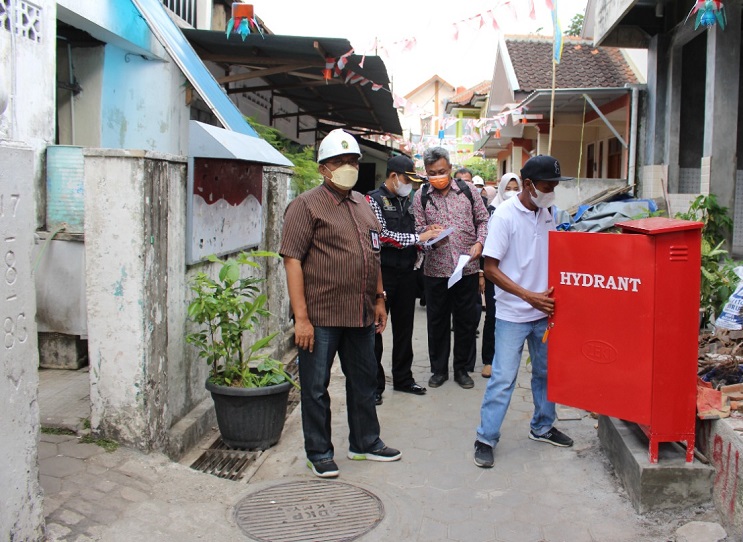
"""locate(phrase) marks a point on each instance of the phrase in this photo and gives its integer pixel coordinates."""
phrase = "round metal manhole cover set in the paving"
(310, 510)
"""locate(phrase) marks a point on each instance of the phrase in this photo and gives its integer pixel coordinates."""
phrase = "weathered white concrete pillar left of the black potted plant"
(126, 253)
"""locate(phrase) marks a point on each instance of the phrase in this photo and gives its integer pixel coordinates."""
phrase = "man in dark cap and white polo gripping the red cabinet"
(516, 255)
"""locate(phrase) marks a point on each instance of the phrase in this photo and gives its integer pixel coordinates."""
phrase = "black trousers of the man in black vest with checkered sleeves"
(400, 287)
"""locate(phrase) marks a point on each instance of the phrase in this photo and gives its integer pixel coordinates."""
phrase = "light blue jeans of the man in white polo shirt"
(509, 344)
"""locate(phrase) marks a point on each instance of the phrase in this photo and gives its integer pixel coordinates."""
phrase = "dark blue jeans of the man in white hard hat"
(355, 348)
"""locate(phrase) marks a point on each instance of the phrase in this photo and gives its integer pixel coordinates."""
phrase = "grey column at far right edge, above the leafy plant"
(721, 119)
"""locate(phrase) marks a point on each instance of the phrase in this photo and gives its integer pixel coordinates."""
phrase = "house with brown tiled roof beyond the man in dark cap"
(587, 125)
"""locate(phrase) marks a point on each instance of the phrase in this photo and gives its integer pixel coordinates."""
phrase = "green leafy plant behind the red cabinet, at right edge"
(718, 279)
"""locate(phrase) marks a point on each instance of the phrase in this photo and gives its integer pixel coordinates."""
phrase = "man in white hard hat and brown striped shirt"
(331, 246)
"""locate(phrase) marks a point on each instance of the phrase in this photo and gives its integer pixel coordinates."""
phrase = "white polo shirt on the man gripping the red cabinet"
(519, 239)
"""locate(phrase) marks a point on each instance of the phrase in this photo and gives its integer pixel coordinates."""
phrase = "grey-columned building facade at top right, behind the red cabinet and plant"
(691, 127)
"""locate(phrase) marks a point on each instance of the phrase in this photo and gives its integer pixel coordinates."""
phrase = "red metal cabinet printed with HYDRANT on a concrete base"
(623, 339)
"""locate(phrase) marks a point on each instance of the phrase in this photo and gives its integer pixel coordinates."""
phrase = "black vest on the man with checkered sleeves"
(398, 214)
